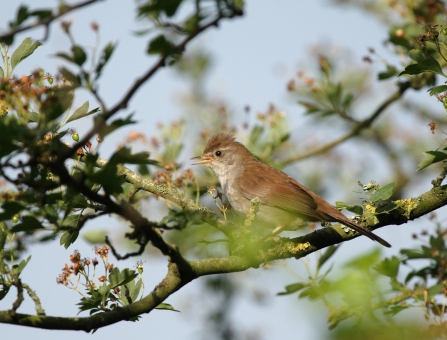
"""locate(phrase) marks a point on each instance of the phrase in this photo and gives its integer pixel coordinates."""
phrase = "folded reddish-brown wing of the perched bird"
(279, 191)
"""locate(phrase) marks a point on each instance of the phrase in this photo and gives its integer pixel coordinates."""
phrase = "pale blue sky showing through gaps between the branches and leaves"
(253, 58)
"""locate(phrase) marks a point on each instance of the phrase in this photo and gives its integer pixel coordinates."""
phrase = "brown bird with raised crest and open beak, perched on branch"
(284, 201)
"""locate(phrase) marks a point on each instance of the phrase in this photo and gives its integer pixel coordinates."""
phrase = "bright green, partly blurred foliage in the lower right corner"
(385, 287)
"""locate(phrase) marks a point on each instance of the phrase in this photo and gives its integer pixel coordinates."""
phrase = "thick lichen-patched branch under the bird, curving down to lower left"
(252, 256)
